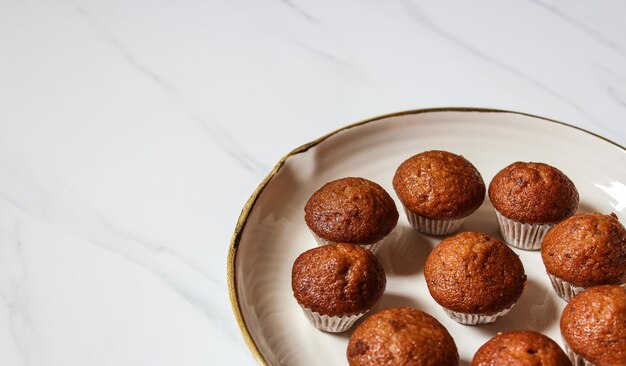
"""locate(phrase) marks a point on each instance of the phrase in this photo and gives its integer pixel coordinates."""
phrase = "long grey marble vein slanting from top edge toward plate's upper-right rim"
(422, 20)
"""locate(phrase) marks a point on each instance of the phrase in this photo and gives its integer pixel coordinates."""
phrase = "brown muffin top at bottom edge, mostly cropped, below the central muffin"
(520, 348)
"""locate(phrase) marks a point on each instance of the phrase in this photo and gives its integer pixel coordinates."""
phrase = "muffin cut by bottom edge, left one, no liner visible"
(401, 336)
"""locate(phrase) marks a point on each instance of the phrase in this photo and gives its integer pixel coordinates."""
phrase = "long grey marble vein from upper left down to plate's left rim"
(224, 141)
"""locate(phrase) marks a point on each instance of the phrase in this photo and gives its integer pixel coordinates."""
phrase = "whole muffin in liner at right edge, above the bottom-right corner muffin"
(585, 250)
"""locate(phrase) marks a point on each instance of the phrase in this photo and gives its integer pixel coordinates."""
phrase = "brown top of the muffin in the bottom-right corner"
(594, 325)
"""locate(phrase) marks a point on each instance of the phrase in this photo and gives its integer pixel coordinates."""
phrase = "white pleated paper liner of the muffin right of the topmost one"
(520, 235)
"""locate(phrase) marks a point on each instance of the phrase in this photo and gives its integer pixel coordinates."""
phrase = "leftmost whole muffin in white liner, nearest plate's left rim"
(336, 284)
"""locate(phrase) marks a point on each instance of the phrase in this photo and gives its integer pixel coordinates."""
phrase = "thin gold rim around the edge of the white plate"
(247, 208)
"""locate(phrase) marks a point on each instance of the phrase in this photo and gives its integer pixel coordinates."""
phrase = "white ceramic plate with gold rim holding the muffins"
(271, 231)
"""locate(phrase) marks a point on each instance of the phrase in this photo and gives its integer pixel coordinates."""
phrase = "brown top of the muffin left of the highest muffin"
(351, 210)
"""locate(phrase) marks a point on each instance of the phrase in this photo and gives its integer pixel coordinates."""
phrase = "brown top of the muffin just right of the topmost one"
(533, 193)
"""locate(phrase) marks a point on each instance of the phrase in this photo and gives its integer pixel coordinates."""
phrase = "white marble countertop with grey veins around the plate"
(132, 132)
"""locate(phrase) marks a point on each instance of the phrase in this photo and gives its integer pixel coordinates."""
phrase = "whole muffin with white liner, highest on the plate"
(438, 190)
